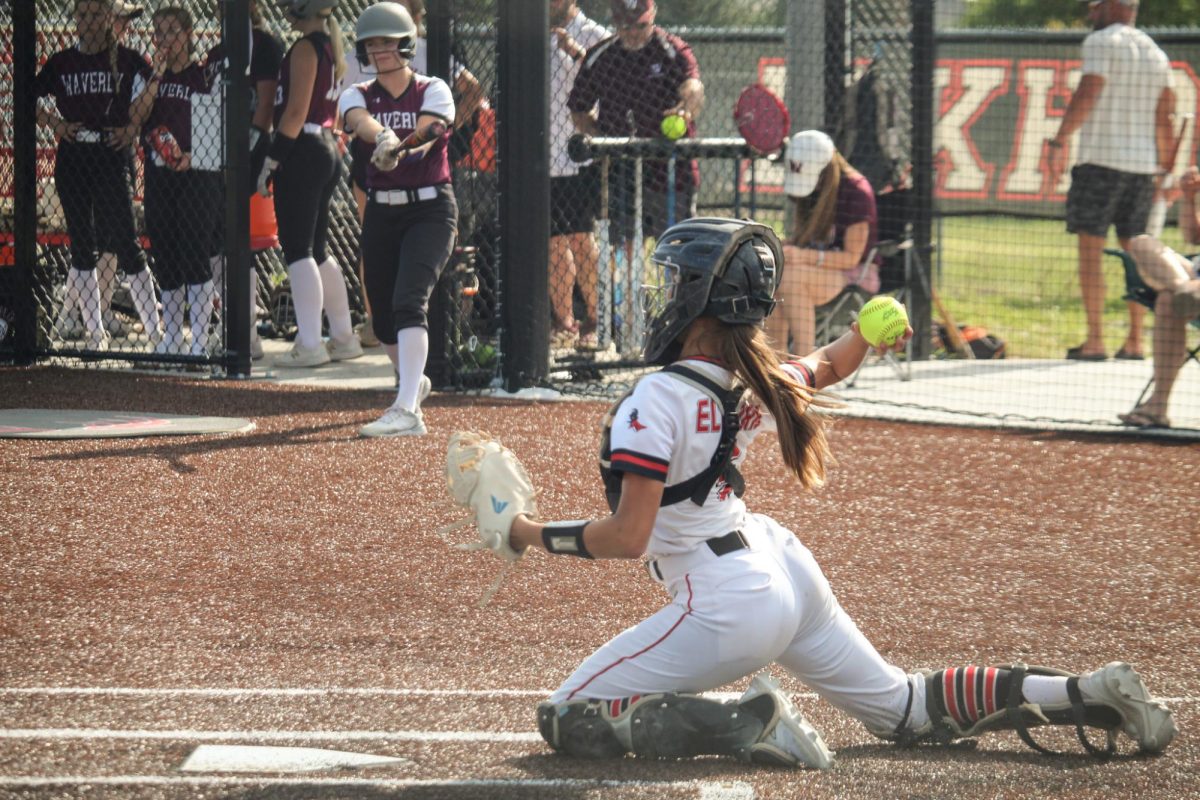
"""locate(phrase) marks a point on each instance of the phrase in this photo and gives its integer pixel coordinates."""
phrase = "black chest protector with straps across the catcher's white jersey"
(698, 488)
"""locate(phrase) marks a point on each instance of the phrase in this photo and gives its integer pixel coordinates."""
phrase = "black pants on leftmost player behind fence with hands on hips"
(98, 203)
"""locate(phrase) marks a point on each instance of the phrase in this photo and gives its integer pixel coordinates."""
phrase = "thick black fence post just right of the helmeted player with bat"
(524, 173)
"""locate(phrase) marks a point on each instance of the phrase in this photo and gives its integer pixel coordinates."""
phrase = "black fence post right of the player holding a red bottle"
(239, 262)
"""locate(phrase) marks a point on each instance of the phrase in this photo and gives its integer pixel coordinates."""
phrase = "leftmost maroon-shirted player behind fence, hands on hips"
(94, 85)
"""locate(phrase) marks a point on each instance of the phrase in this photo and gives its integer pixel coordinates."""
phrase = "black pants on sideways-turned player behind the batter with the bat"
(304, 189)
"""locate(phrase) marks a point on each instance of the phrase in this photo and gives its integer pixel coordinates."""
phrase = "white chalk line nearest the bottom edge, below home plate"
(706, 790)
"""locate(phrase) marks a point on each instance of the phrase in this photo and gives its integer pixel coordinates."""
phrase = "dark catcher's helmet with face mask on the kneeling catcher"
(712, 267)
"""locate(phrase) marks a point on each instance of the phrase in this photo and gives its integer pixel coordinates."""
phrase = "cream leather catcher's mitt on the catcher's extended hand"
(485, 477)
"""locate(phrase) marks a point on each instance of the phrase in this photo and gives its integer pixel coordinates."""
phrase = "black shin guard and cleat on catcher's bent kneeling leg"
(682, 726)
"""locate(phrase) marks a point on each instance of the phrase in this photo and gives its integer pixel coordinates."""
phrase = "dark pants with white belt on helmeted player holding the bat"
(405, 250)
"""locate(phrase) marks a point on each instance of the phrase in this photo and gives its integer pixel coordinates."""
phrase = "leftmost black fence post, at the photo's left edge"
(25, 124)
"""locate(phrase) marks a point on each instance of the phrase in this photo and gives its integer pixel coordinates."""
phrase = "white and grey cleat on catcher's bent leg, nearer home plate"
(788, 738)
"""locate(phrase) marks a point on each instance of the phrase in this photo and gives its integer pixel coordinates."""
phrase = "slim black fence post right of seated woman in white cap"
(925, 57)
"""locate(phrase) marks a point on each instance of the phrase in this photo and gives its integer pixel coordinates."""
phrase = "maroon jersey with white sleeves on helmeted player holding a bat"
(400, 115)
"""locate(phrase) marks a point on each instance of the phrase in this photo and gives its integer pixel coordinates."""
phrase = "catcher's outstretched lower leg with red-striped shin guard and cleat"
(1111, 699)
